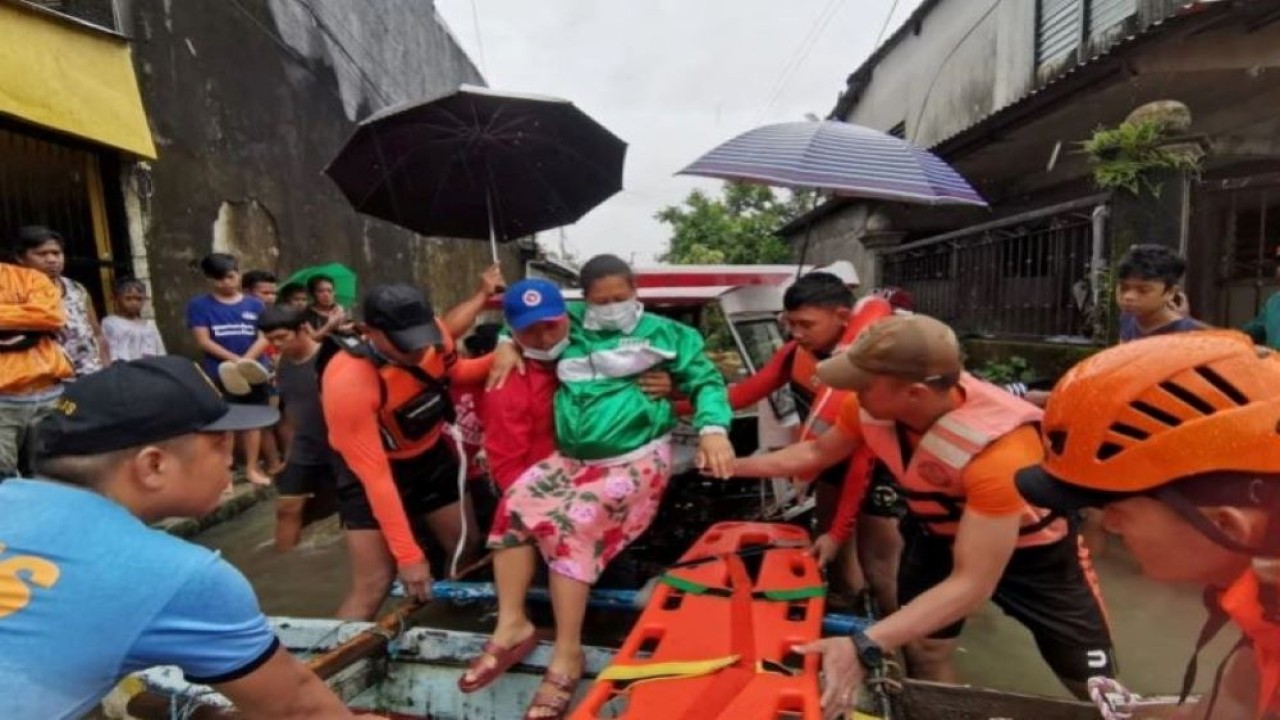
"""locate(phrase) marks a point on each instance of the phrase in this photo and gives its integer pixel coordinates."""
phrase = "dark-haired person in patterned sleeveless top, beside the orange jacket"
(43, 249)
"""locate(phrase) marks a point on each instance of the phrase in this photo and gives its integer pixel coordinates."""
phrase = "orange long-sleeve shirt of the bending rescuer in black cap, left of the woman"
(353, 399)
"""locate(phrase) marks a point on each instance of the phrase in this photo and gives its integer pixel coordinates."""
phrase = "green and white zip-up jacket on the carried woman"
(601, 411)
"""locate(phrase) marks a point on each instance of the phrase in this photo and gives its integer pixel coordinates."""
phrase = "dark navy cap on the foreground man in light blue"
(141, 403)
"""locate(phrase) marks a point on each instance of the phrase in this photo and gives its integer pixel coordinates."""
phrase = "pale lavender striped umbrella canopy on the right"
(840, 158)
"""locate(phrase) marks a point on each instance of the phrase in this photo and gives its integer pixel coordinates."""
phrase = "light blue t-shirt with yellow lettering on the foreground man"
(90, 594)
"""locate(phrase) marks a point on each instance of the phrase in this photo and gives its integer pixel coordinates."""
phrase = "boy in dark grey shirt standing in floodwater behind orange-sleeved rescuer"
(308, 486)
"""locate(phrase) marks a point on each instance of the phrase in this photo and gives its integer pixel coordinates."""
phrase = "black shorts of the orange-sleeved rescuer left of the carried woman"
(427, 484)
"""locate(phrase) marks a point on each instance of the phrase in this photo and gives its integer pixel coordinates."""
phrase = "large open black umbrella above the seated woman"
(481, 165)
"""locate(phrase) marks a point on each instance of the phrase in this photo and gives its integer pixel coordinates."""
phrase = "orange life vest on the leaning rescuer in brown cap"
(931, 481)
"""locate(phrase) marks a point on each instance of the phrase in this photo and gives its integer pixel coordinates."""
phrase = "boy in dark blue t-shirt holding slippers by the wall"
(225, 323)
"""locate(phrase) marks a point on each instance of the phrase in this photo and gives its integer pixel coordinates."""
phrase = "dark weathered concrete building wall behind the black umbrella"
(249, 102)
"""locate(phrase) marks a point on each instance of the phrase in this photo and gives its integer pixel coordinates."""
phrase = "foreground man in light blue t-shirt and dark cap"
(89, 593)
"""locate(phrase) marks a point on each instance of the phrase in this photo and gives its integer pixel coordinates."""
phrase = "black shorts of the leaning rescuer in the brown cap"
(1048, 589)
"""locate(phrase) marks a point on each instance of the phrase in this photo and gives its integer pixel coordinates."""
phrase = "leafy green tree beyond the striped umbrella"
(738, 229)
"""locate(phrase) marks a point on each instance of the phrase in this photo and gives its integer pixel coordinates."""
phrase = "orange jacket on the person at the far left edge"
(31, 303)
